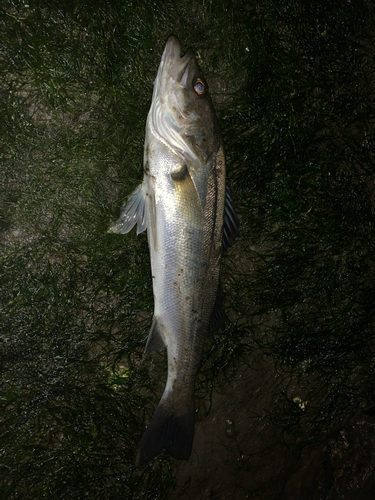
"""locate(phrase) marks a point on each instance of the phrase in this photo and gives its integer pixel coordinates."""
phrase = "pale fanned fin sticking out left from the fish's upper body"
(135, 211)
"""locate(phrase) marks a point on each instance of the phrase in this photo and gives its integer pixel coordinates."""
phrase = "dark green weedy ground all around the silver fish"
(285, 393)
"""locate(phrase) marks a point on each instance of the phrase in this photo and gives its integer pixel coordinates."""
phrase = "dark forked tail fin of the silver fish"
(169, 429)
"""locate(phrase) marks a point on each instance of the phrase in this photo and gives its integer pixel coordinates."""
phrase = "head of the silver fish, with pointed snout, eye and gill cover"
(182, 113)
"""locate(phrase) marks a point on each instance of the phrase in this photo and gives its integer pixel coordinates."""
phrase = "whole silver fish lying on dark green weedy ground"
(190, 219)
